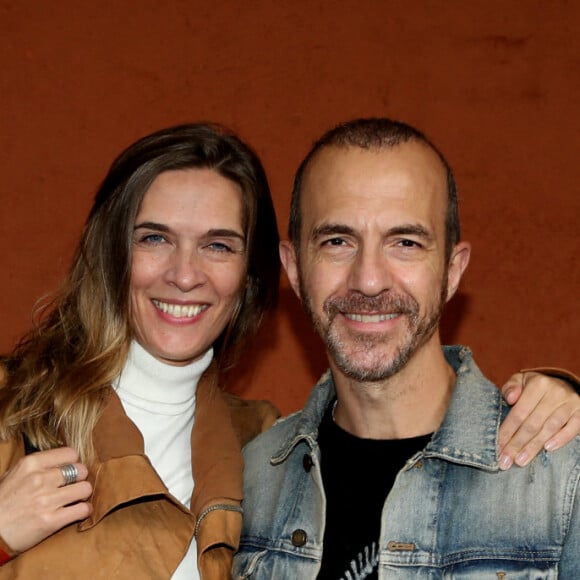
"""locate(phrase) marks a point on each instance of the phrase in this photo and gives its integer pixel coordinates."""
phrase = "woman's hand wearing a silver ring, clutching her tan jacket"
(34, 500)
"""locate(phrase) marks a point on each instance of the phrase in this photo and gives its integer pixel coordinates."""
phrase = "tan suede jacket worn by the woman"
(137, 529)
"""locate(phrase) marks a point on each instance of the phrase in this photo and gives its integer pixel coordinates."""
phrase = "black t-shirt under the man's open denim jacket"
(357, 475)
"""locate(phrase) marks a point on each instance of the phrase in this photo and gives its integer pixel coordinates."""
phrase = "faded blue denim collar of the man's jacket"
(468, 434)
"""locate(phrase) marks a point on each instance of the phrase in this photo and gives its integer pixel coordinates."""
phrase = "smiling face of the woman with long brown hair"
(188, 265)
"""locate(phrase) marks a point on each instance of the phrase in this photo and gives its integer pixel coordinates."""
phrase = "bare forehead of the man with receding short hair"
(381, 188)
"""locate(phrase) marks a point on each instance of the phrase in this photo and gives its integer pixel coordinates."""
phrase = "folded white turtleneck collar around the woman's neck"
(150, 384)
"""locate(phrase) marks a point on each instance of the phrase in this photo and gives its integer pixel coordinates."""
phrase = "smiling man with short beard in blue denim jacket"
(391, 469)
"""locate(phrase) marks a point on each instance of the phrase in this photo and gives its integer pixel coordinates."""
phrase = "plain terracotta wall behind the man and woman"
(495, 83)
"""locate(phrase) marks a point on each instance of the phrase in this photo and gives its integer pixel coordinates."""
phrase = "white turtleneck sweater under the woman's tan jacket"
(160, 399)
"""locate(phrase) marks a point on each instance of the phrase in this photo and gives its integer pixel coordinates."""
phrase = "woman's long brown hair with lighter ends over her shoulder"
(57, 378)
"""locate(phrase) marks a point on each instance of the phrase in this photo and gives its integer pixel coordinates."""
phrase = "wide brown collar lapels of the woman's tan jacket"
(122, 472)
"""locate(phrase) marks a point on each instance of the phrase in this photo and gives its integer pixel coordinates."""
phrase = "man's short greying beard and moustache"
(420, 330)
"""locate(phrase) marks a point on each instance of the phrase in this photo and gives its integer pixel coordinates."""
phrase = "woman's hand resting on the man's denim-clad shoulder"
(546, 415)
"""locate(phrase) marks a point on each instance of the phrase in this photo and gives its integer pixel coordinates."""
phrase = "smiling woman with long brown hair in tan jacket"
(115, 395)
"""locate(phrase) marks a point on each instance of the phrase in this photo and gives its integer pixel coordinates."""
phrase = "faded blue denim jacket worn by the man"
(450, 514)
